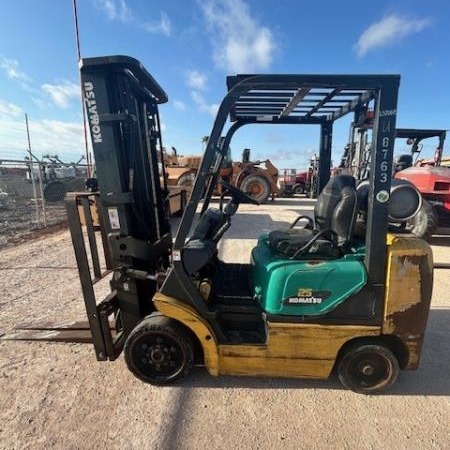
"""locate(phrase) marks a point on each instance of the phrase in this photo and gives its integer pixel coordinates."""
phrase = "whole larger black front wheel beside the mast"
(159, 351)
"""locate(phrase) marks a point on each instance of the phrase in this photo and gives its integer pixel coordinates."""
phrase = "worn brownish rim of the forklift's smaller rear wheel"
(369, 370)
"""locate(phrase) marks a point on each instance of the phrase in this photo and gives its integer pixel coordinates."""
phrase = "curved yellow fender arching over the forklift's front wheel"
(187, 315)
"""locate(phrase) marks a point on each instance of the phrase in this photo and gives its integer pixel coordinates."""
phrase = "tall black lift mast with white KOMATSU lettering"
(121, 100)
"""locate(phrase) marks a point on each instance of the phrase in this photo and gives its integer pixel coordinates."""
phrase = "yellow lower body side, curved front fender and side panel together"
(291, 350)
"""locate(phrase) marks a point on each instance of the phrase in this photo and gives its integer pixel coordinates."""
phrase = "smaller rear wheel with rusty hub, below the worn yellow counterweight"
(380, 364)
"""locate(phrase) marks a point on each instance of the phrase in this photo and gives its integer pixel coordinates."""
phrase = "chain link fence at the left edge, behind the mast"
(32, 196)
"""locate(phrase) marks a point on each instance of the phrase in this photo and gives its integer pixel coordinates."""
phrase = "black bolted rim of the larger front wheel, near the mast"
(158, 356)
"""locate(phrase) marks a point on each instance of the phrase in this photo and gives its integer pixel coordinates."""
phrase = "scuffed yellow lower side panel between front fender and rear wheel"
(292, 350)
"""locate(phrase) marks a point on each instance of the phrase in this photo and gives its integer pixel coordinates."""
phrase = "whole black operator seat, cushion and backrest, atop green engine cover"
(329, 234)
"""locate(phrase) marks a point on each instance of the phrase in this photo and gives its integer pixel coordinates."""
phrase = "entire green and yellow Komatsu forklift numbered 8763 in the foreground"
(313, 299)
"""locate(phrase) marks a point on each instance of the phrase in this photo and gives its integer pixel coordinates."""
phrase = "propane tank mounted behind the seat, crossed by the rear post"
(405, 200)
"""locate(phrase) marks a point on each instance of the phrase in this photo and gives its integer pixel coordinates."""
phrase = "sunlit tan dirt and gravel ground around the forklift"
(58, 396)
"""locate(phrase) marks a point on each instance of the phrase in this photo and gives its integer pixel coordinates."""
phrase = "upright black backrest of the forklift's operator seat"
(336, 208)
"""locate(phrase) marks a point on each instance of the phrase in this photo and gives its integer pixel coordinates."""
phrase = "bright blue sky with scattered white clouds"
(190, 46)
